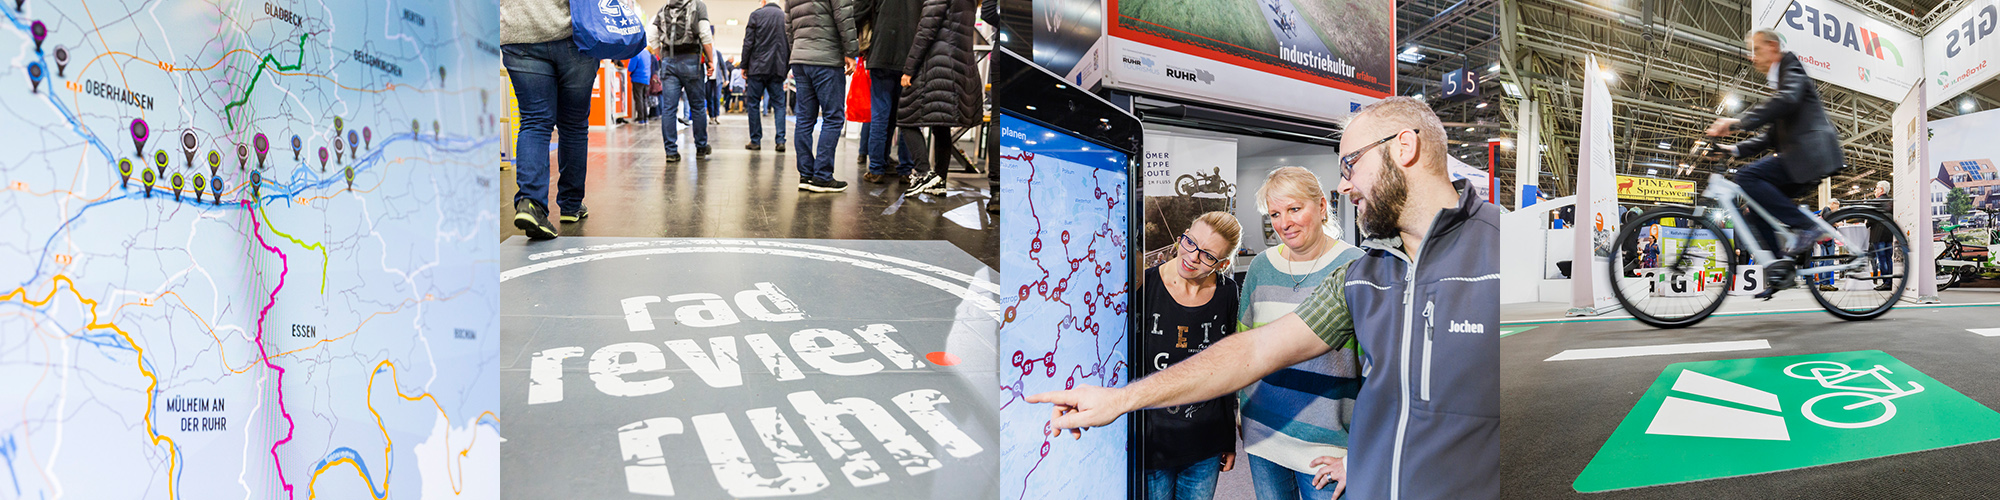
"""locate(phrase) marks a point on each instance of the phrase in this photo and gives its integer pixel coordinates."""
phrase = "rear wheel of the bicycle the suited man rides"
(1855, 293)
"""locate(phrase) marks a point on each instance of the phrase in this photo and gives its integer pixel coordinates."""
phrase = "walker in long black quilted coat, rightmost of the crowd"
(941, 87)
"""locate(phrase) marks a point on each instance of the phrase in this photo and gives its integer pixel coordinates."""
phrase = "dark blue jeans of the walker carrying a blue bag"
(553, 85)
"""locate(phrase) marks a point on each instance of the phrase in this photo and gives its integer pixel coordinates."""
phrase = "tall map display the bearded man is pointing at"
(1065, 275)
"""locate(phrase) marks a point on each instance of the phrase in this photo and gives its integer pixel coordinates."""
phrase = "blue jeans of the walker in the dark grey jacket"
(823, 93)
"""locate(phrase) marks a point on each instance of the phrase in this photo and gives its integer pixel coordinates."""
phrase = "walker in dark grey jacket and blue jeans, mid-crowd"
(823, 53)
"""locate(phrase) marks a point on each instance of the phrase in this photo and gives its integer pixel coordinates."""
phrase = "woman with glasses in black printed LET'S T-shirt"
(1191, 303)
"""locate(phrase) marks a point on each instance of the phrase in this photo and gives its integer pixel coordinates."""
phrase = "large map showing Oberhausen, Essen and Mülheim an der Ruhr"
(249, 249)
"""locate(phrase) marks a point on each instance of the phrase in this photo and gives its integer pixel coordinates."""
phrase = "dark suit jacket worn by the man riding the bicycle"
(1799, 127)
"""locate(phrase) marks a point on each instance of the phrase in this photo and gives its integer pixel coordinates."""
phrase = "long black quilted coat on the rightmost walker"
(945, 81)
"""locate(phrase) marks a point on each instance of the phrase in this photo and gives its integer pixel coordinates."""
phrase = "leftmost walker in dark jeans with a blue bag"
(553, 85)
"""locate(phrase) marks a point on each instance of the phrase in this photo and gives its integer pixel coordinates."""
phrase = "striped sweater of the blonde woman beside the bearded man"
(1299, 413)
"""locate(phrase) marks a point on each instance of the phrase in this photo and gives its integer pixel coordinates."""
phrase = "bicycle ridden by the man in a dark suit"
(1697, 259)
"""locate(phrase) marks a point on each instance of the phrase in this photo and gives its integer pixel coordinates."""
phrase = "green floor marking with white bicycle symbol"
(1723, 419)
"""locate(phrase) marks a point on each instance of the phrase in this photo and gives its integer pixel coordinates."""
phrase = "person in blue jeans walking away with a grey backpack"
(683, 39)
